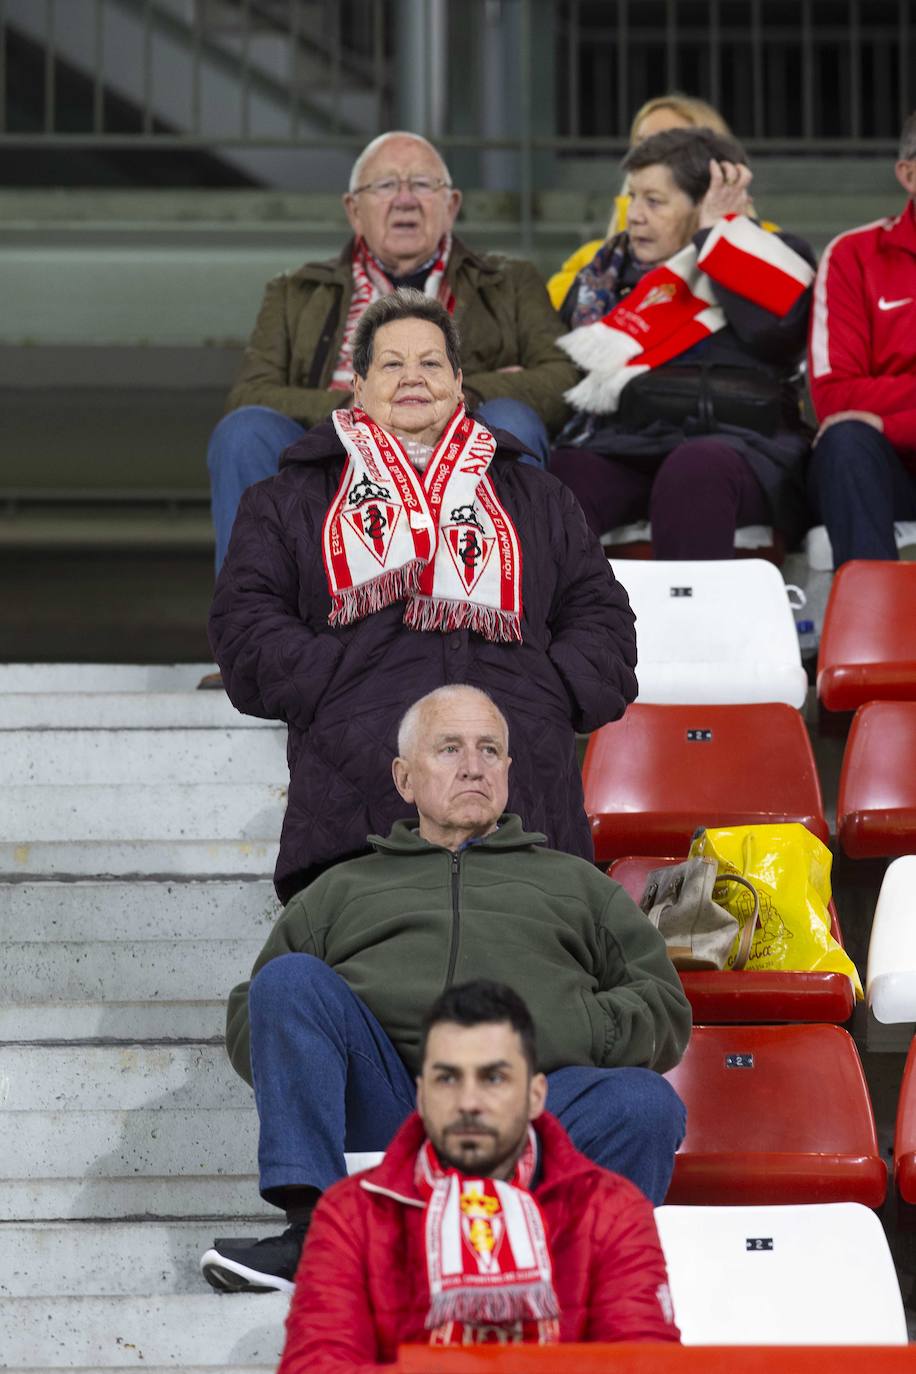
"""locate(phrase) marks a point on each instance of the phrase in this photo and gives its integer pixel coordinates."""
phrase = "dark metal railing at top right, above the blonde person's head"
(810, 74)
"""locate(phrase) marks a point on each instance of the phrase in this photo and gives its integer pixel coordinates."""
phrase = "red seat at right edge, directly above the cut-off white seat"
(877, 804)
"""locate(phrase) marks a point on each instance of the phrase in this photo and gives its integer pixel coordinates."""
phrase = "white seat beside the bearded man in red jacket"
(782, 1276)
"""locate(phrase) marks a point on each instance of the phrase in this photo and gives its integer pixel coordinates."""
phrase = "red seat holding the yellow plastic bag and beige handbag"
(768, 995)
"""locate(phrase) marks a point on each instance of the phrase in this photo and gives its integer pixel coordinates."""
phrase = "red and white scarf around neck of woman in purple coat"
(442, 542)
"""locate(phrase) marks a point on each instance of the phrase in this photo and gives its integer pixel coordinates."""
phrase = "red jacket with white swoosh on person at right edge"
(863, 336)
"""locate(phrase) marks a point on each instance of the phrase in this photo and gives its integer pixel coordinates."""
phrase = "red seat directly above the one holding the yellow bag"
(660, 773)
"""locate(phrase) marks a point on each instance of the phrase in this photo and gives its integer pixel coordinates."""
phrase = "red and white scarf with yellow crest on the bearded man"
(487, 1255)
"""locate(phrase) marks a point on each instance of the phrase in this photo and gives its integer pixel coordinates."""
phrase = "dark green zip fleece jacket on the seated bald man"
(407, 921)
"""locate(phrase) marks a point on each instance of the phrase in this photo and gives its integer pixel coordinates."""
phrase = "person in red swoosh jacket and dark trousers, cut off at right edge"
(863, 379)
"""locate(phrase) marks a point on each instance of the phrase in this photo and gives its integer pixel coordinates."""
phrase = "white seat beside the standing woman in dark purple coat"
(715, 633)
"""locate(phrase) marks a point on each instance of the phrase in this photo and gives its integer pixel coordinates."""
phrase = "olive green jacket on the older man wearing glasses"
(502, 310)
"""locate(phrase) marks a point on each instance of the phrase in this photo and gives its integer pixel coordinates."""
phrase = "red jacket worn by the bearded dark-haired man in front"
(362, 1288)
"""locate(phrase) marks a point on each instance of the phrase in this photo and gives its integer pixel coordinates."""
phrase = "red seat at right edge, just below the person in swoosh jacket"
(869, 646)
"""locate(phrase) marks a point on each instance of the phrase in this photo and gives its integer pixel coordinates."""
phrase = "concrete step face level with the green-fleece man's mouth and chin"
(131, 813)
